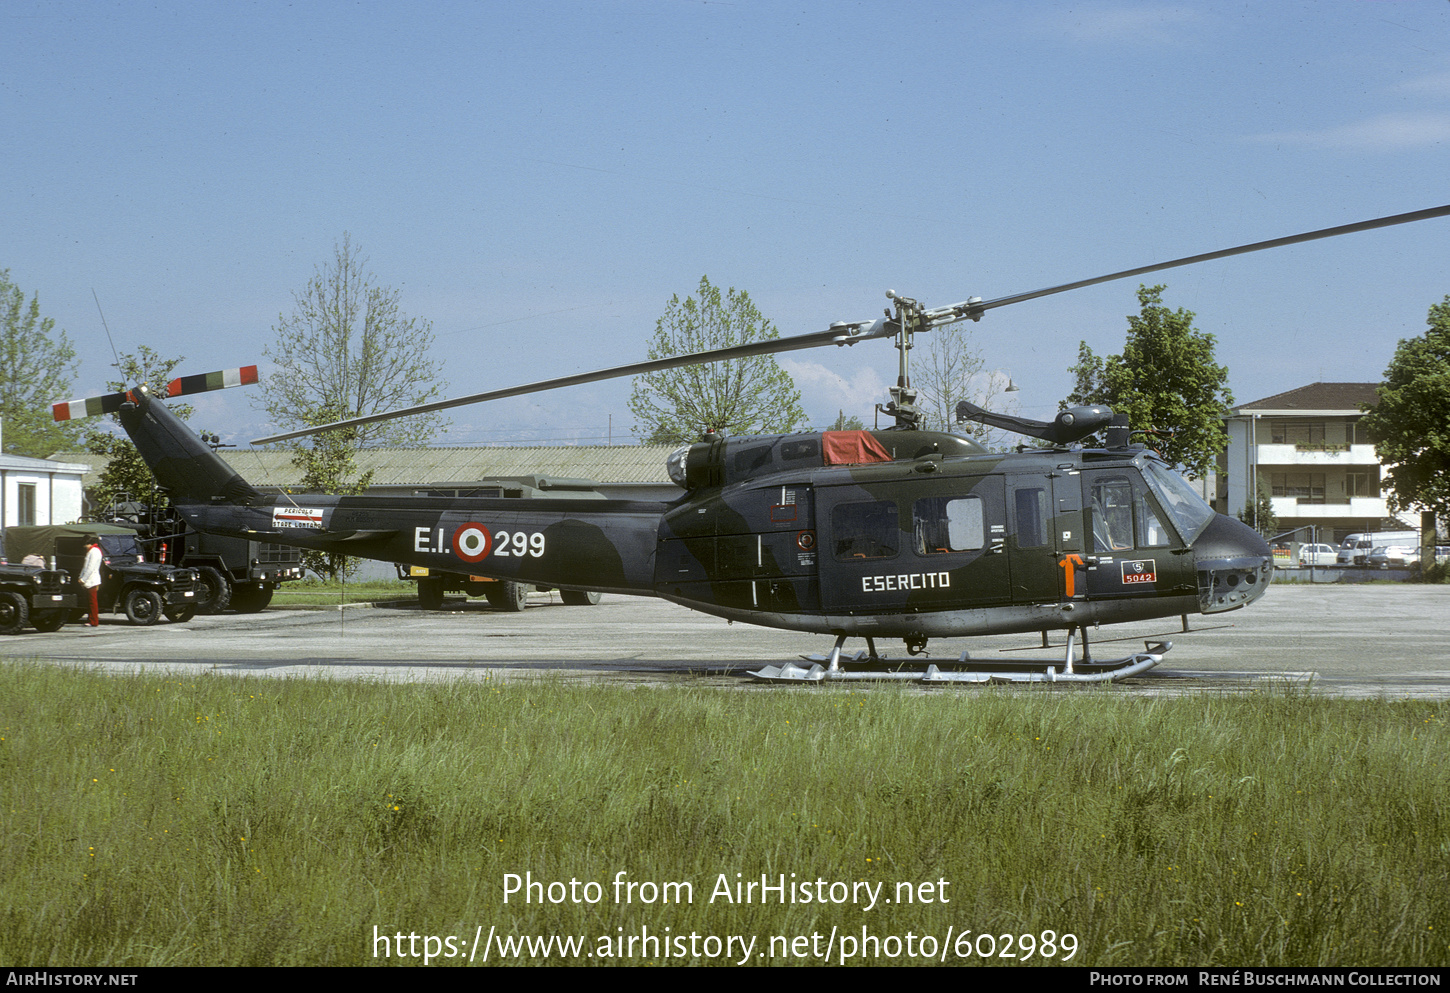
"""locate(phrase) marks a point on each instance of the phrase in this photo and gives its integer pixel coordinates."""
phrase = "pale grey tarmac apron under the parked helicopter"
(1348, 641)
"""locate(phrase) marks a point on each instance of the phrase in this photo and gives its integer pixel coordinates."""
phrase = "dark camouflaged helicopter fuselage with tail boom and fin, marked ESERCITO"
(935, 539)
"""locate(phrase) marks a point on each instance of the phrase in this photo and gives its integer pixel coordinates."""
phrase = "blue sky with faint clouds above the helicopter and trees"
(540, 179)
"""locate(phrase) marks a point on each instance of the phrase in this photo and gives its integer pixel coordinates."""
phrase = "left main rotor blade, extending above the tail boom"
(834, 336)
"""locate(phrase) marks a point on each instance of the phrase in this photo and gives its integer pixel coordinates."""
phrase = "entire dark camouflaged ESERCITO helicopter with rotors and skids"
(900, 533)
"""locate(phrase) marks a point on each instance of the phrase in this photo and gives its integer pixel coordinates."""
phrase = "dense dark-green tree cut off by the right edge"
(1412, 423)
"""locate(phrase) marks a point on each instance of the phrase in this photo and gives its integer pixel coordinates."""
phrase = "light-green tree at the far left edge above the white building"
(37, 369)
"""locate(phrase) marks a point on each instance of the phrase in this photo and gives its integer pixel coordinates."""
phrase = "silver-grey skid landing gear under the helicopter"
(975, 670)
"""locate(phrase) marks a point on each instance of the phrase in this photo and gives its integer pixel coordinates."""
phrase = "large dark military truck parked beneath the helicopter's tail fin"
(233, 573)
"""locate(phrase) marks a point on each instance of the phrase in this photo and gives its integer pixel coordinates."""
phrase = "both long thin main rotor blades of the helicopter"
(849, 334)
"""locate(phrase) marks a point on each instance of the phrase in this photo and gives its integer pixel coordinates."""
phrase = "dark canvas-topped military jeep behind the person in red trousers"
(130, 585)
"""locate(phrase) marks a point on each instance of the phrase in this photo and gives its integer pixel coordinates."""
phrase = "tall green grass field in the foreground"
(247, 821)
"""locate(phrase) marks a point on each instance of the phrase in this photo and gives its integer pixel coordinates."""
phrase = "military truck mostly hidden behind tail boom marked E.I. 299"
(504, 595)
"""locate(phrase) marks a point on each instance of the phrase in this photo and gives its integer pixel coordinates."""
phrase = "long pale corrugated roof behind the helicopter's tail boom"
(423, 466)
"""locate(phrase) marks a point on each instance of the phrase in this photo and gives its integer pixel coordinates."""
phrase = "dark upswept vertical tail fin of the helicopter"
(179, 459)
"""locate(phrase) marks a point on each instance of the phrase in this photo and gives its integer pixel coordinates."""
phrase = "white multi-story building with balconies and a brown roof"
(1307, 452)
